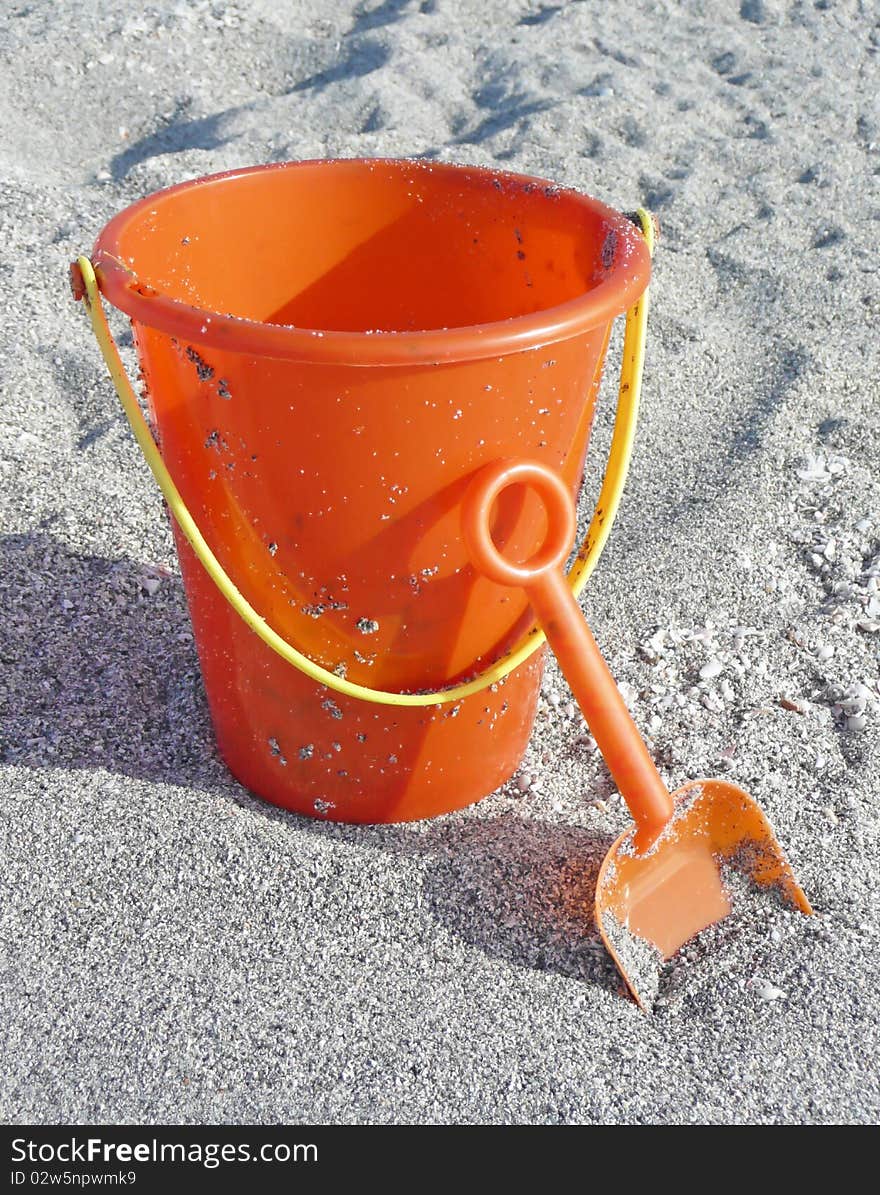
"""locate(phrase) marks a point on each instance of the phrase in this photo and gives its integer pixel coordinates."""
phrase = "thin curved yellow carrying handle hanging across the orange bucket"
(588, 557)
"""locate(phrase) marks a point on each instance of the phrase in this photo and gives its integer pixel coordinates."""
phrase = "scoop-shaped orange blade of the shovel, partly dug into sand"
(650, 904)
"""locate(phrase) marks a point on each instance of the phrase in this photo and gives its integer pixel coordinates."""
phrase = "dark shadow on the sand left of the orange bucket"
(97, 672)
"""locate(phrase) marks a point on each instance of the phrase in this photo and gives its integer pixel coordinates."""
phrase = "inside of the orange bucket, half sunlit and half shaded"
(365, 247)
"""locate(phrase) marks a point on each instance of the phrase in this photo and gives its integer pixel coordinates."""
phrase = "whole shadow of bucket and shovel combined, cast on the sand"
(100, 675)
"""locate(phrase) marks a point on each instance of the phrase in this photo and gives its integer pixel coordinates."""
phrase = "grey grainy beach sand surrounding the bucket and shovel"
(174, 951)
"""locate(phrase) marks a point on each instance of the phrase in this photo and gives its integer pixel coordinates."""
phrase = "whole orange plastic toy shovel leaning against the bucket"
(663, 881)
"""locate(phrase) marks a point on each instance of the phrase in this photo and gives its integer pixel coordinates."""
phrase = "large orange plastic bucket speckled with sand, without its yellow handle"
(331, 351)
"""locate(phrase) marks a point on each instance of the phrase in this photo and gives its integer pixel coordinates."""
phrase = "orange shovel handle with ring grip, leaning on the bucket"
(567, 632)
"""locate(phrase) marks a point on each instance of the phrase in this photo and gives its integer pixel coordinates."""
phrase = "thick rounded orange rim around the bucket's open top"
(626, 281)
